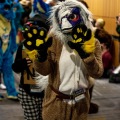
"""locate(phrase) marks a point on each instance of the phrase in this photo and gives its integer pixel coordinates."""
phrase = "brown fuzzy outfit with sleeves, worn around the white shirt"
(53, 107)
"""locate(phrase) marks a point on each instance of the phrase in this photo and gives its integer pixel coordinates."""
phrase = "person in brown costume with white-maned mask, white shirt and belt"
(69, 58)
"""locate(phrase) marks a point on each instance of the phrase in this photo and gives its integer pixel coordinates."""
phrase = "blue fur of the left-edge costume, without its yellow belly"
(6, 59)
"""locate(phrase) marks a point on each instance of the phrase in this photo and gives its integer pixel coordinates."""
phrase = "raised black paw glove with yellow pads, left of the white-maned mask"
(36, 39)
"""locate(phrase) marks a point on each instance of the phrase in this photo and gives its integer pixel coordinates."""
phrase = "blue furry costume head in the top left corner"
(6, 9)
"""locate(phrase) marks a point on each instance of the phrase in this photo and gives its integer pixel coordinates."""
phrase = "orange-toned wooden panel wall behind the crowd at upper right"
(108, 10)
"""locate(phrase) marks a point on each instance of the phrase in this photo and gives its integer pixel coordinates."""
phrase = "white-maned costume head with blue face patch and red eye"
(66, 15)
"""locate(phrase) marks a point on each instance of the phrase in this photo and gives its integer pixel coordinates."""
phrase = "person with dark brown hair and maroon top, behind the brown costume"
(106, 42)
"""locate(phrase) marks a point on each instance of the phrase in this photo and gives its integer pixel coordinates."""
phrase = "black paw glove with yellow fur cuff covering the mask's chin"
(83, 40)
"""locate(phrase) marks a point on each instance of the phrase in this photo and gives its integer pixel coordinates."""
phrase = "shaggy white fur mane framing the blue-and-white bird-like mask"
(86, 15)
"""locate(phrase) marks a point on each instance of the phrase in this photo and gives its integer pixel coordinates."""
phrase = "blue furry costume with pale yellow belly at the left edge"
(7, 45)
